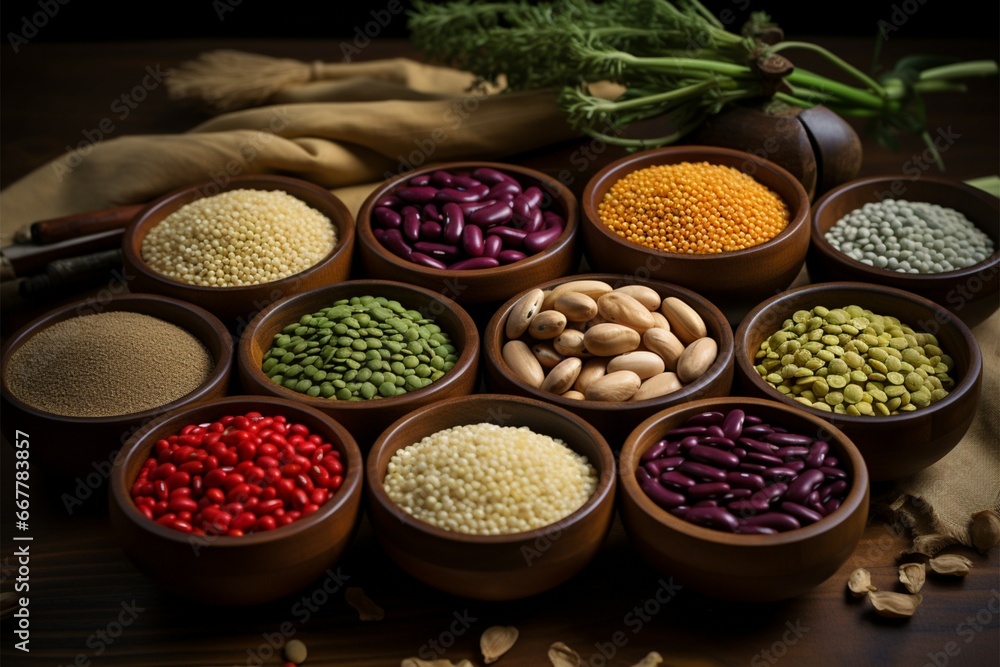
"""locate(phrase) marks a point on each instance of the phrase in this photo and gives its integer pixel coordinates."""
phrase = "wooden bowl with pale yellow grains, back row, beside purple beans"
(237, 248)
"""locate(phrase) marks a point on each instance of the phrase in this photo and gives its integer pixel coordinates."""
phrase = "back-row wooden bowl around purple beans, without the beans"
(476, 286)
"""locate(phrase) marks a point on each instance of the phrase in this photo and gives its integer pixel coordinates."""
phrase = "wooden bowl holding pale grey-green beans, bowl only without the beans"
(970, 293)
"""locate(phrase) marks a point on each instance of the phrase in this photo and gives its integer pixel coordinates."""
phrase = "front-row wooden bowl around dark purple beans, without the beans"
(746, 568)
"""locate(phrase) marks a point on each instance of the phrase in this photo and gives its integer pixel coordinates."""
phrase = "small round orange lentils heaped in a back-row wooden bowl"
(693, 208)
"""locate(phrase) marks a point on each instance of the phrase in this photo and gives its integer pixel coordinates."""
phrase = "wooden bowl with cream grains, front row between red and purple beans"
(490, 496)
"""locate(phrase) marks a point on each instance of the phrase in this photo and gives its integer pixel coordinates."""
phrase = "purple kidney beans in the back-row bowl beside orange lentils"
(462, 220)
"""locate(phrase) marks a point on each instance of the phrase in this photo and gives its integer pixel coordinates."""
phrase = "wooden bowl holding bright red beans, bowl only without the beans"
(229, 570)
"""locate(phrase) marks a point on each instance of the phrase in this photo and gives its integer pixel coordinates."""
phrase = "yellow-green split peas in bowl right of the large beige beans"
(852, 361)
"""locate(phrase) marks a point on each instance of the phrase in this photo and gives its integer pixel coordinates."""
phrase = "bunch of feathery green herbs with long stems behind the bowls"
(675, 61)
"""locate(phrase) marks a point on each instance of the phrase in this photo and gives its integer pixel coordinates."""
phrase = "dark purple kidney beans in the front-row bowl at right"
(734, 472)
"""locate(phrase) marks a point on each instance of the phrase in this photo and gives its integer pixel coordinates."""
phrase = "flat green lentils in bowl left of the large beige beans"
(360, 348)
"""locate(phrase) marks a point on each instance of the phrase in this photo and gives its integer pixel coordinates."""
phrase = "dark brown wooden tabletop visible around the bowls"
(89, 605)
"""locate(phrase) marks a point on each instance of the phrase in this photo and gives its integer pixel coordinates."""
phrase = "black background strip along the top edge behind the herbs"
(86, 20)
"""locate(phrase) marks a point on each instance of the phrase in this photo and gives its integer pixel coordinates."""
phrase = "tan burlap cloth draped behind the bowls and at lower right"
(348, 126)
